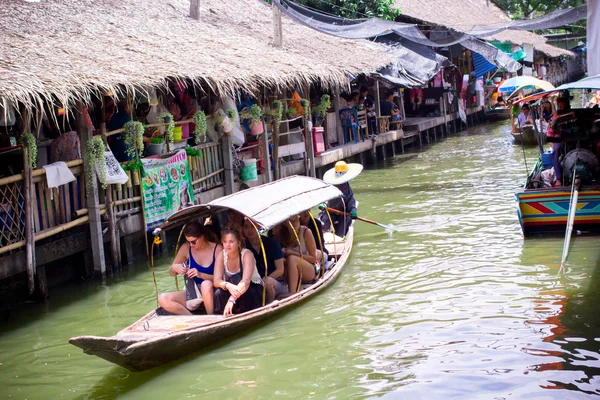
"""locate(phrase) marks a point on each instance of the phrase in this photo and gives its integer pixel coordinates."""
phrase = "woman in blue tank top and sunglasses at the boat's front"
(196, 260)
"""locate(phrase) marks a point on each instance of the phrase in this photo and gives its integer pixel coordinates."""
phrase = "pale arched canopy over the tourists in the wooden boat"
(267, 205)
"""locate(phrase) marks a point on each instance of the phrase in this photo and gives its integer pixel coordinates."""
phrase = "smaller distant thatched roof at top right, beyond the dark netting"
(463, 15)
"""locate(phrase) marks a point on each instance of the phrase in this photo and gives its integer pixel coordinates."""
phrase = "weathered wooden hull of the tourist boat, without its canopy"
(155, 340)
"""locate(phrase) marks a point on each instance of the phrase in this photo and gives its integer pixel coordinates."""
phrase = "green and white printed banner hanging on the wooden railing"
(166, 188)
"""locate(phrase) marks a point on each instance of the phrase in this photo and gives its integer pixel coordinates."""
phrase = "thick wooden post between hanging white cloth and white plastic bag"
(92, 198)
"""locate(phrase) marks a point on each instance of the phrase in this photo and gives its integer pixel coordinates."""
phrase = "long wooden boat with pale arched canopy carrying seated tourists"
(156, 339)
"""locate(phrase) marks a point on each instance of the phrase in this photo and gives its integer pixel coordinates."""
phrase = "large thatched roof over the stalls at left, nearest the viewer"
(67, 49)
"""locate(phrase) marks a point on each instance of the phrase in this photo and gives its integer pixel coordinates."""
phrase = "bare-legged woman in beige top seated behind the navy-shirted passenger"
(302, 259)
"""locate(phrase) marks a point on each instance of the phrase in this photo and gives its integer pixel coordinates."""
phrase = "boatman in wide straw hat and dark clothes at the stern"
(339, 176)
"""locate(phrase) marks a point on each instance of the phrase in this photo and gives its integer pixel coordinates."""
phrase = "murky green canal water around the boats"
(458, 305)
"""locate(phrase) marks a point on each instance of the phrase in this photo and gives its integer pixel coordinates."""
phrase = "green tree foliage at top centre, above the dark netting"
(355, 8)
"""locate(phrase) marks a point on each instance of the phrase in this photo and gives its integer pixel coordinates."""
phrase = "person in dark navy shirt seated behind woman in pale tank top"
(274, 269)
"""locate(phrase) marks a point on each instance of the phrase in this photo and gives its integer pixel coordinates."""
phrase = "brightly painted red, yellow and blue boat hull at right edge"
(545, 211)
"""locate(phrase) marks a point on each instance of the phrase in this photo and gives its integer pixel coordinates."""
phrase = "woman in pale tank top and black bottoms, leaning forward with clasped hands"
(238, 283)
